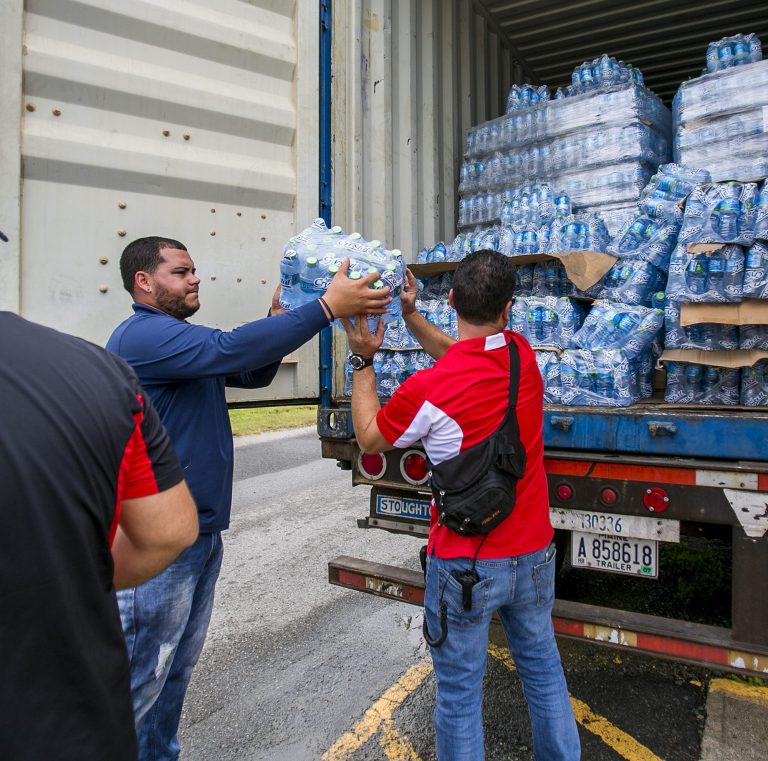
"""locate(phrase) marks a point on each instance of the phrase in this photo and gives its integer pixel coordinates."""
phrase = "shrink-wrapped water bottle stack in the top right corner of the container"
(719, 121)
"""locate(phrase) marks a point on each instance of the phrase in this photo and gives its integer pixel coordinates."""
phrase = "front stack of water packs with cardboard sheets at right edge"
(721, 257)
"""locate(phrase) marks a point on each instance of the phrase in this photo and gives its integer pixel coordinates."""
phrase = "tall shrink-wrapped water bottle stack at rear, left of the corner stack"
(600, 146)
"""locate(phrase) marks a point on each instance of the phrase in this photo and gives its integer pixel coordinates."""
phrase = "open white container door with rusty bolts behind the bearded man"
(182, 118)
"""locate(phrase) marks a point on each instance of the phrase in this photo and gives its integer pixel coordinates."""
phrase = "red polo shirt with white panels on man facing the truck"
(458, 403)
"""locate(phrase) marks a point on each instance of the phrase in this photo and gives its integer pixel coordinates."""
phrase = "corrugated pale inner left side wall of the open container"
(409, 78)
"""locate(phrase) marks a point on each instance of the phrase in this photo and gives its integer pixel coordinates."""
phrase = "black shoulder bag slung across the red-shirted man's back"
(475, 490)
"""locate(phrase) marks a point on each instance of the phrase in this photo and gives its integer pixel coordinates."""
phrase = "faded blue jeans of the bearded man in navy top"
(165, 622)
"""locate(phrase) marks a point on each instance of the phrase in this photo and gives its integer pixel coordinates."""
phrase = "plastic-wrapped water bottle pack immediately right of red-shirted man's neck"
(546, 321)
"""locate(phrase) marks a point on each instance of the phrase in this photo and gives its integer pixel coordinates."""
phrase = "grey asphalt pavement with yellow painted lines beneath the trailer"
(295, 669)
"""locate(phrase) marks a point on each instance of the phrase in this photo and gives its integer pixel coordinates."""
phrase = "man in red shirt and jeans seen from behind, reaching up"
(450, 407)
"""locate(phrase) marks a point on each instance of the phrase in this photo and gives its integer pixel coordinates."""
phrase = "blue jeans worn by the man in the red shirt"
(522, 590)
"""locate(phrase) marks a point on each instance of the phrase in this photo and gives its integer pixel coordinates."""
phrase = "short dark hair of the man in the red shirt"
(482, 285)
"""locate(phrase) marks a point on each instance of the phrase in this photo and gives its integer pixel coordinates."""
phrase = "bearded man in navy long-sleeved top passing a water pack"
(185, 368)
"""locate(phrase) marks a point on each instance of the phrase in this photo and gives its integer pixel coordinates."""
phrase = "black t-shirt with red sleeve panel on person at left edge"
(77, 435)
